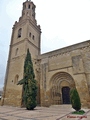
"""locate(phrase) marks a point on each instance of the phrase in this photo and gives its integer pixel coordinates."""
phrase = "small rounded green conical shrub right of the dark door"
(75, 99)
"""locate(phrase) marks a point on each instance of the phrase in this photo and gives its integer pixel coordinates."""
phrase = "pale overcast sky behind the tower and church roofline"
(63, 23)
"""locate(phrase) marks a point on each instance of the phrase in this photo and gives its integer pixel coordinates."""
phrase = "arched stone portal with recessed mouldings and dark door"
(60, 85)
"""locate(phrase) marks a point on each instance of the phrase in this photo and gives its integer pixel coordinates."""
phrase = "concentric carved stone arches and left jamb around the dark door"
(58, 81)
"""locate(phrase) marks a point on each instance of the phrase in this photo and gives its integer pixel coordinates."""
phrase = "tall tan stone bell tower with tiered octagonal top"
(25, 34)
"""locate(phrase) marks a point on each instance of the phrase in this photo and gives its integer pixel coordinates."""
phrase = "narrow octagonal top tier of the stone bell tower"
(28, 13)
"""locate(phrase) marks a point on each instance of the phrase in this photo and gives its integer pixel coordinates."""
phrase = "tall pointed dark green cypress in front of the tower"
(29, 83)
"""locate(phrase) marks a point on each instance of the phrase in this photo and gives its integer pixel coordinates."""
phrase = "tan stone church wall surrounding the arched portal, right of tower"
(73, 60)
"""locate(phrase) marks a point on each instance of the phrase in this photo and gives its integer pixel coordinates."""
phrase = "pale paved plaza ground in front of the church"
(55, 112)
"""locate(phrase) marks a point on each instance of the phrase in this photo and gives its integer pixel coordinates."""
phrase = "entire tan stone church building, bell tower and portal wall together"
(56, 72)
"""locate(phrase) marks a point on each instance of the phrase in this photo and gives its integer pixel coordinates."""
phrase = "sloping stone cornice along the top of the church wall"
(66, 50)
